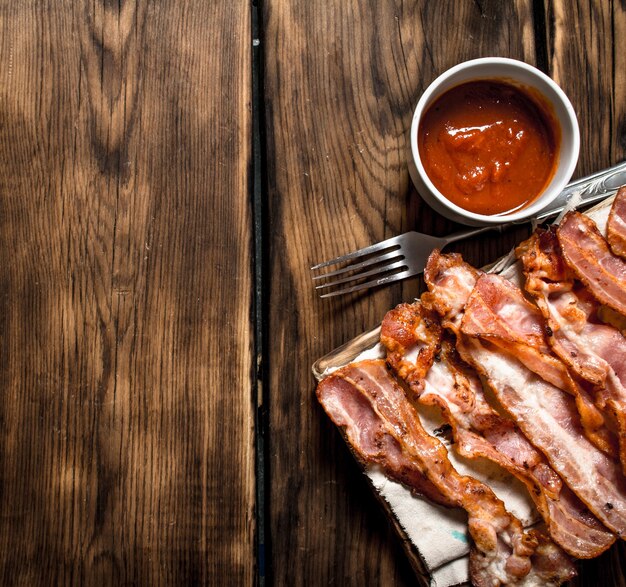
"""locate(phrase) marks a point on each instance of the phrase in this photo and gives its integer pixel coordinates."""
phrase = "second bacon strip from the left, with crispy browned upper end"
(428, 363)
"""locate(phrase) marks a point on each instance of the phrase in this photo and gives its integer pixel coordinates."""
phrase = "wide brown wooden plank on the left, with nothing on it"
(126, 413)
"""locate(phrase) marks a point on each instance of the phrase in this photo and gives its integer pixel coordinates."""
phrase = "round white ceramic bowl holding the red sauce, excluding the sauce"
(517, 73)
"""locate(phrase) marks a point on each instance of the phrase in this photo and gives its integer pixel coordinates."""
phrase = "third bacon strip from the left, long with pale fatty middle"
(546, 415)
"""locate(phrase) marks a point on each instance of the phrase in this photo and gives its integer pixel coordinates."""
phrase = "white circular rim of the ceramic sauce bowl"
(568, 156)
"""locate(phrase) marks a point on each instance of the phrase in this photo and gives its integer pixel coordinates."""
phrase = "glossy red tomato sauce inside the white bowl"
(488, 146)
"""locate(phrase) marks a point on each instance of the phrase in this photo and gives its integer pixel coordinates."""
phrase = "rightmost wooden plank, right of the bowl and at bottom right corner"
(584, 53)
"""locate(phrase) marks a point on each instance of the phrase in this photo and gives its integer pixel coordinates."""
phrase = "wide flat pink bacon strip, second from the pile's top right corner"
(587, 253)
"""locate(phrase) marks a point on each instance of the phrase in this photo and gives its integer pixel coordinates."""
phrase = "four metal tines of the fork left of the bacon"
(384, 260)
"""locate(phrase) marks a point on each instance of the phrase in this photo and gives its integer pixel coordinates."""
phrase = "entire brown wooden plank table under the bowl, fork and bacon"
(169, 171)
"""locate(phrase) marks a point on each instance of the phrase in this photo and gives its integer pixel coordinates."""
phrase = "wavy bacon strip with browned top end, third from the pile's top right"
(593, 350)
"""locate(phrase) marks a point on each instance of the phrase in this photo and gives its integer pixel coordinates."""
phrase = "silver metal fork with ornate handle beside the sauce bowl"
(405, 255)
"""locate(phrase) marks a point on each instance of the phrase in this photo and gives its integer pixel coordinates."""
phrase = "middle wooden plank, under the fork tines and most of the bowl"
(341, 81)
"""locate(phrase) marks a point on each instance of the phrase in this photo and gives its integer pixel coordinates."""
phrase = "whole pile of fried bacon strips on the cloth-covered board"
(555, 374)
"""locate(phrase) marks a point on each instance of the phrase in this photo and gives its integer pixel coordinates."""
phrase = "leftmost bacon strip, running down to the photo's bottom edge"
(383, 428)
